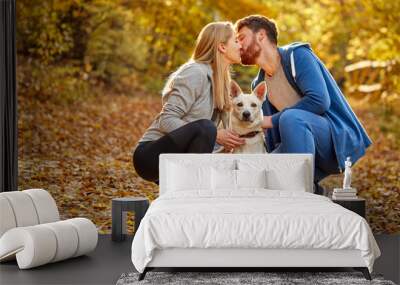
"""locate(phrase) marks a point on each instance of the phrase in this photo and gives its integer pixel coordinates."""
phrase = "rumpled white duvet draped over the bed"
(253, 218)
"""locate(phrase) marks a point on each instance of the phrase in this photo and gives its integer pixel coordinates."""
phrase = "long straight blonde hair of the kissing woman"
(206, 51)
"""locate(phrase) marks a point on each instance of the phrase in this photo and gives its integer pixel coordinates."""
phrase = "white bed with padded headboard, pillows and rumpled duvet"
(247, 210)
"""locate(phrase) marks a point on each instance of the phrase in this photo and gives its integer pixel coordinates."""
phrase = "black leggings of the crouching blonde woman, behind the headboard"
(194, 137)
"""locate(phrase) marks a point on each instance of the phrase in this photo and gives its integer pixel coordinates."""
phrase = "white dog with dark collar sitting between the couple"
(246, 118)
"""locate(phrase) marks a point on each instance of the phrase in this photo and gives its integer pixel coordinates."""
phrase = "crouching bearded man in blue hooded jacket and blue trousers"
(305, 111)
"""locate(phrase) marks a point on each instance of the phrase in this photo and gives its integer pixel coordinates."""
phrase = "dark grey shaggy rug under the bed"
(230, 278)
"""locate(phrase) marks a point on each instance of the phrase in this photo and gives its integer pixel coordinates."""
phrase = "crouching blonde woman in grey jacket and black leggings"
(193, 98)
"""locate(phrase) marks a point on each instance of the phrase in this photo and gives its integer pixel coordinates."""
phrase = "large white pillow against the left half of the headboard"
(183, 177)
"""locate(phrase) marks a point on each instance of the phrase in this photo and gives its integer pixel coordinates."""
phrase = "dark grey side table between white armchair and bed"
(120, 206)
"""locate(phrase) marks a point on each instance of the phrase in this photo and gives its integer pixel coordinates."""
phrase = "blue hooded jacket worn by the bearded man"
(320, 95)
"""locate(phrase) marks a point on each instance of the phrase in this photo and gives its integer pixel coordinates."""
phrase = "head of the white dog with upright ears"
(247, 107)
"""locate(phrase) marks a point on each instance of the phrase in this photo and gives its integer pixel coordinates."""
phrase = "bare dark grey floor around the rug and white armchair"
(111, 259)
